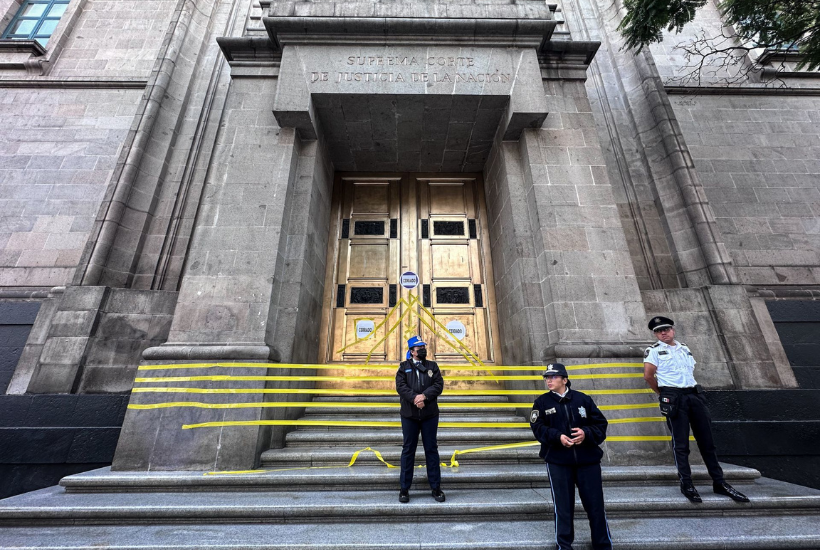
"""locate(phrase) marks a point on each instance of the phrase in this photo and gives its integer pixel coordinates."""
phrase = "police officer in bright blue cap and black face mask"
(419, 383)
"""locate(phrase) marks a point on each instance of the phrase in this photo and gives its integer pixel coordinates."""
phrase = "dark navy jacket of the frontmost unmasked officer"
(553, 416)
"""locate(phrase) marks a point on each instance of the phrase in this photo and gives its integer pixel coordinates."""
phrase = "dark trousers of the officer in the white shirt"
(692, 411)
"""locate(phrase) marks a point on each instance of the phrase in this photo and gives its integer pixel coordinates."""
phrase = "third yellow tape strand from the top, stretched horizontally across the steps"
(351, 391)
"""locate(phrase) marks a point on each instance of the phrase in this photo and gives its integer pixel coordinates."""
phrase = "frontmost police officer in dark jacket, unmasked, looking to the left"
(570, 428)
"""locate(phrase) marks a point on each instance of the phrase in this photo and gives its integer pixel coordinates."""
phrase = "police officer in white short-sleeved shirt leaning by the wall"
(668, 369)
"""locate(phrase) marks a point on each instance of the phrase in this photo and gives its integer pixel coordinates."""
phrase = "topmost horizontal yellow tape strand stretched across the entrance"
(174, 366)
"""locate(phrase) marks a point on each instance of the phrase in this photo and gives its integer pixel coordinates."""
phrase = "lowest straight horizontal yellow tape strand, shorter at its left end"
(388, 424)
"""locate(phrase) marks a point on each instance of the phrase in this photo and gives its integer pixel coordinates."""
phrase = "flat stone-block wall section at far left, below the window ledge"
(58, 150)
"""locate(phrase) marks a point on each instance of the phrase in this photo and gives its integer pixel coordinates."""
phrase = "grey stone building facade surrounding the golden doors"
(168, 171)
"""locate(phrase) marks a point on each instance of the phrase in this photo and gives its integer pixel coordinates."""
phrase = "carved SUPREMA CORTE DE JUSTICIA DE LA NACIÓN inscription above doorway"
(397, 68)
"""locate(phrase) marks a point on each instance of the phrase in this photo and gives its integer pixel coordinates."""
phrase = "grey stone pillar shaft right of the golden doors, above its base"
(566, 275)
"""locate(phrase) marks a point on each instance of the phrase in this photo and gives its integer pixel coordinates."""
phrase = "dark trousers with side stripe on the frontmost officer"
(587, 477)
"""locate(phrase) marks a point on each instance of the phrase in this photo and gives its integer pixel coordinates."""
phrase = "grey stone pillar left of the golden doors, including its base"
(251, 290)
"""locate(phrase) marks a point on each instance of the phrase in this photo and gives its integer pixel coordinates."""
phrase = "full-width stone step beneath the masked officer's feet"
(54, 506)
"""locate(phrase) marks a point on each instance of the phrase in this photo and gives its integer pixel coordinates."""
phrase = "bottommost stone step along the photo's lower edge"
(682, 533)
